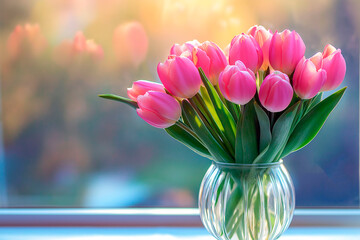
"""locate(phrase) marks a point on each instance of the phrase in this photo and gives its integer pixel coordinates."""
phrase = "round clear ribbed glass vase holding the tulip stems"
(246, 201)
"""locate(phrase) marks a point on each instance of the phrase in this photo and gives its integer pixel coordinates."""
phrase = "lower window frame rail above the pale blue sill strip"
(157, 217)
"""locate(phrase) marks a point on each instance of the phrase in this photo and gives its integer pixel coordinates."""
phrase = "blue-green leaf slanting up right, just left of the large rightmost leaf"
(280, 135)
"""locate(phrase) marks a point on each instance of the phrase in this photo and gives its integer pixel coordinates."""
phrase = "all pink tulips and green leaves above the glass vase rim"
(255, 102)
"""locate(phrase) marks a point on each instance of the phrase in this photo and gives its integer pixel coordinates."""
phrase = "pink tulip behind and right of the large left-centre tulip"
(211, 59)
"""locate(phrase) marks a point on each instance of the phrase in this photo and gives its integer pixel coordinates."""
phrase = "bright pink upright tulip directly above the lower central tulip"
(245, 48)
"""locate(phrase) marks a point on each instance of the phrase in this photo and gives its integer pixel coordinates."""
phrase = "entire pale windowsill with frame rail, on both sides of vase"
(158, 224)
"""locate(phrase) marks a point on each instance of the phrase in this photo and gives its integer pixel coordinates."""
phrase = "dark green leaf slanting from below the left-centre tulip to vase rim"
(204, 135)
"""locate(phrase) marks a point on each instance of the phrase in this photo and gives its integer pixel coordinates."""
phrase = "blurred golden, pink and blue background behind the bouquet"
(65, 147)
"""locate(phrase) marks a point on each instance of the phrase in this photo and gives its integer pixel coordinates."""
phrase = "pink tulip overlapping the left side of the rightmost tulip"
(308, 77)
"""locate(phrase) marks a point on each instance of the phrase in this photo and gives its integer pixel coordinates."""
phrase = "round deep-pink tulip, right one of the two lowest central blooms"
(275, 92)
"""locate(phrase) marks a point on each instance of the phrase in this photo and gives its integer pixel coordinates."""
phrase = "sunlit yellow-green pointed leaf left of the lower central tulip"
(223, 113)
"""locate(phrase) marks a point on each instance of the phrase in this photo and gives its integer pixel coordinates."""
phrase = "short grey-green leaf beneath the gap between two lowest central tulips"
(264, 123)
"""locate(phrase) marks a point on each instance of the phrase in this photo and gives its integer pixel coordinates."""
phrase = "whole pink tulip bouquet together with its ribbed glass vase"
(245, 109)
